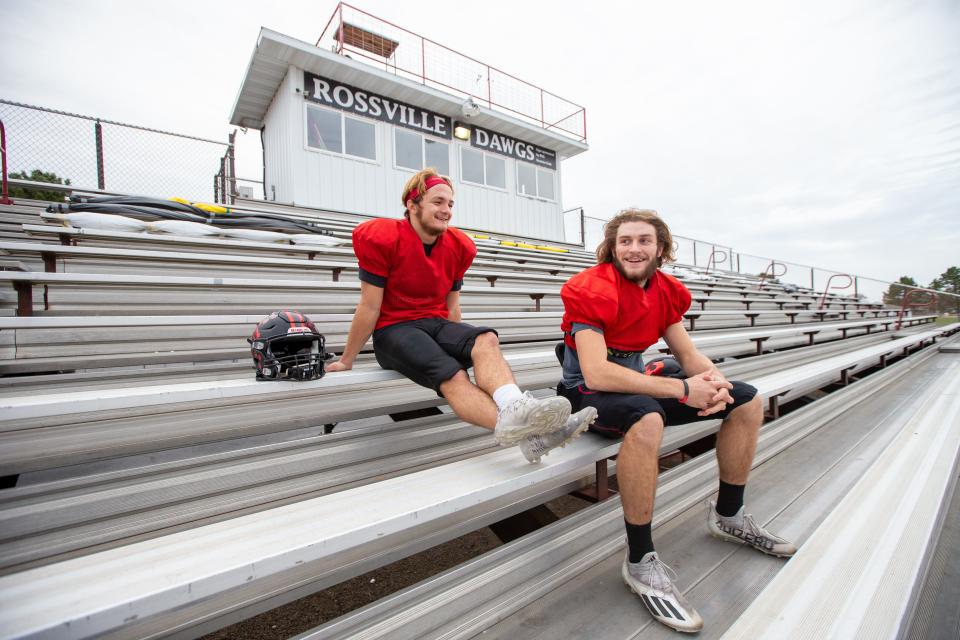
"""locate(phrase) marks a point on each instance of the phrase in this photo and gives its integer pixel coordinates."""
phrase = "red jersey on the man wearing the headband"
(416, 284)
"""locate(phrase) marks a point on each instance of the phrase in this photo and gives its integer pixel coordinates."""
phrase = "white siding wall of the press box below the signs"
(314, 178)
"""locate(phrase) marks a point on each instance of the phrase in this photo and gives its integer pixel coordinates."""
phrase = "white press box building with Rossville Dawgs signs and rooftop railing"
(345, 123)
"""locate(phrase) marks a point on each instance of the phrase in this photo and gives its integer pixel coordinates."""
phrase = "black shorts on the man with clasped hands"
(617, 412)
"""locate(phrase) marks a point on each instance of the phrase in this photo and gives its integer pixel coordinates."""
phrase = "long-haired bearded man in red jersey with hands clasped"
(612, 312)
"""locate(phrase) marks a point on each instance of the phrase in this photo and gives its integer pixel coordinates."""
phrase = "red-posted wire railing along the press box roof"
(554, 112)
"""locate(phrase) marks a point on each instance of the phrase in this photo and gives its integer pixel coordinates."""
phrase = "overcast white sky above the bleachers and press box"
(823, 133)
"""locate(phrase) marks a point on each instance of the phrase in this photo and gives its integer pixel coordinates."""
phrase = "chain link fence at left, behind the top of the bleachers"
(93, 153)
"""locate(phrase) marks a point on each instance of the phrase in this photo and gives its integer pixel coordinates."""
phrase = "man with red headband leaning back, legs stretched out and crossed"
(411, 273)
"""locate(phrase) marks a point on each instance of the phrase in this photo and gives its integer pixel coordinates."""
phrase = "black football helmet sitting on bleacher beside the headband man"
(287, 345)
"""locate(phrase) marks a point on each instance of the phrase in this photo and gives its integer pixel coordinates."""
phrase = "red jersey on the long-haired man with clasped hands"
(632, 318)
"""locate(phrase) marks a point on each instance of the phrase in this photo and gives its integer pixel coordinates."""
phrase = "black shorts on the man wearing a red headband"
(428, 351)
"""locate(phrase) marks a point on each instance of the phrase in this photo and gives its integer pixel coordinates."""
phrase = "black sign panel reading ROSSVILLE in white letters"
(346, 98)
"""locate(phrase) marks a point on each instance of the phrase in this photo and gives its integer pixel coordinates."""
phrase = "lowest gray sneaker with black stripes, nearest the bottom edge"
(651, 580)
